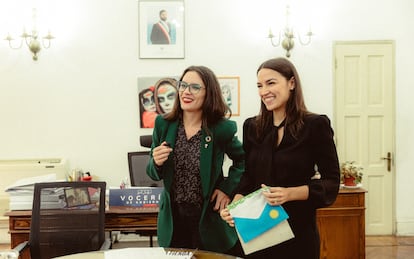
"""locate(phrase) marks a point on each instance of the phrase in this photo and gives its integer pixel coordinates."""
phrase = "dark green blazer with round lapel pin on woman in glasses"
(216, 234)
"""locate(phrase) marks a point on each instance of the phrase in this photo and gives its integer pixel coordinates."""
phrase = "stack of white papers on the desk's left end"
(21, 194)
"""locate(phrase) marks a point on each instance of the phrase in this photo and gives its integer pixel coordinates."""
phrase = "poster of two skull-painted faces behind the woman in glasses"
(156, 95)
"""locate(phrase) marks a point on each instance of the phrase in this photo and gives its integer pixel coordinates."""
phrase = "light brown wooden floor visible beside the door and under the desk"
(377, 247)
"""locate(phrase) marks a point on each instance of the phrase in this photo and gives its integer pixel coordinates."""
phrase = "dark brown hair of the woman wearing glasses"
(214, 108)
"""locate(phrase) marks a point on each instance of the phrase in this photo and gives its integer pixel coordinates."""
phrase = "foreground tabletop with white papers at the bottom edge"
(144, 253)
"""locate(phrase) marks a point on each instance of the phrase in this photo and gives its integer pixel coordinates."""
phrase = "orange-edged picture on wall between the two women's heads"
(230, 88)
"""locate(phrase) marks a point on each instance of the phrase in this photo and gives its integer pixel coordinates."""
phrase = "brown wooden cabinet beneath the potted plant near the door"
(342, 226)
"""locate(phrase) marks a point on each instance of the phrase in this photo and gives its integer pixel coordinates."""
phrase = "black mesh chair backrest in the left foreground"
(67, 218)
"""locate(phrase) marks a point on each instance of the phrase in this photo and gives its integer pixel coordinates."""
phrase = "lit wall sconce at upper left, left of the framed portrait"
(31, 39)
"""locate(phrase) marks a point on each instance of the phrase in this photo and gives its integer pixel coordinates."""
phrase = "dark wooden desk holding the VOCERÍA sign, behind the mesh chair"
(140, 220)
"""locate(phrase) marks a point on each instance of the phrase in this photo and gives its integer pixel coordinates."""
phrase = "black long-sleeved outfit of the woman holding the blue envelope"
(292, 163)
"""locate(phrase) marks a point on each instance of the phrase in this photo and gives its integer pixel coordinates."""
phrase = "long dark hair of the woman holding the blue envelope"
(295, 107)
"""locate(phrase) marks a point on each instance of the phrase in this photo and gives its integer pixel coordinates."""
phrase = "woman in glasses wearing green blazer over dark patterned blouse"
(187, 153)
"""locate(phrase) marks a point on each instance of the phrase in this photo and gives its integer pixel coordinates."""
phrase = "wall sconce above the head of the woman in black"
(288, 36)
